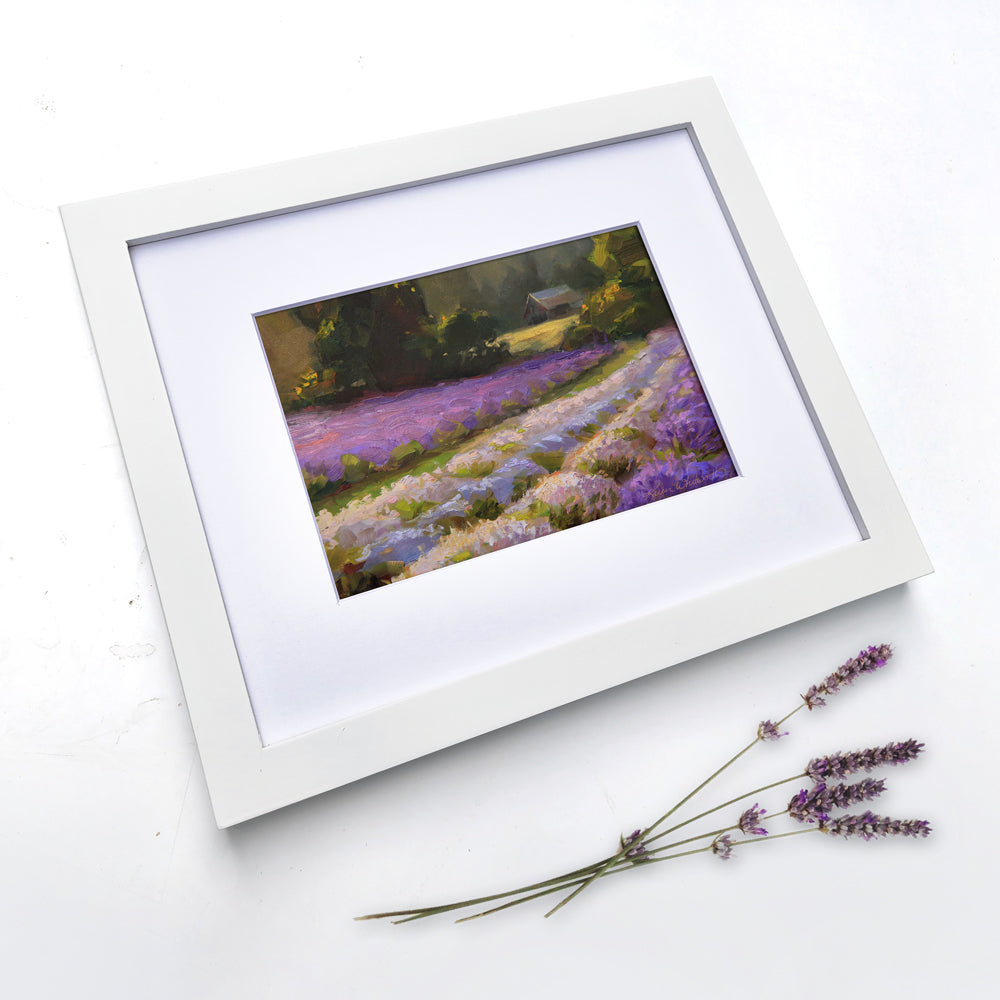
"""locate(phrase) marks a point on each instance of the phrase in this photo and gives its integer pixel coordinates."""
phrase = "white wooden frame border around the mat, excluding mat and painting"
(245, 778)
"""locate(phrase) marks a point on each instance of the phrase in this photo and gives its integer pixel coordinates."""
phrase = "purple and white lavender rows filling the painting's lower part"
(425, 478)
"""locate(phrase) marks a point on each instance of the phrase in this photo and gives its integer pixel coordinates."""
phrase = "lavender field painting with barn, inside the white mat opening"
(444, 417)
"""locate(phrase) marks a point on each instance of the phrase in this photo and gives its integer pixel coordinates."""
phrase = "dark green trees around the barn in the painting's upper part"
(447, 325)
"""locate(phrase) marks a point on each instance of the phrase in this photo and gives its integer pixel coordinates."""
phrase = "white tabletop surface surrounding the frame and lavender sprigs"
(873, 128)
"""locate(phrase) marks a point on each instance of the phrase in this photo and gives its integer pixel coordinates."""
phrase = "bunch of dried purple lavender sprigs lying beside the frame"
(811, 807)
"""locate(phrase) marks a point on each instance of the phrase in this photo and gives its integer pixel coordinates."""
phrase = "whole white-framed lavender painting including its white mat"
(430, 436)
